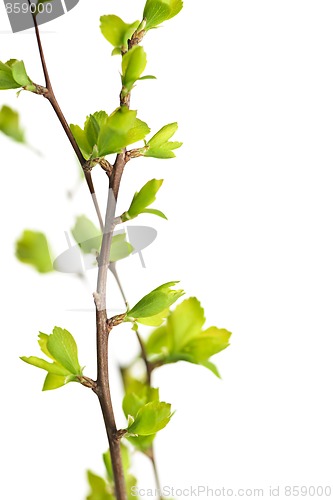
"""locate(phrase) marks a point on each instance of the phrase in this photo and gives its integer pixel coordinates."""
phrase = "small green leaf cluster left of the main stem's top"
(117, 32)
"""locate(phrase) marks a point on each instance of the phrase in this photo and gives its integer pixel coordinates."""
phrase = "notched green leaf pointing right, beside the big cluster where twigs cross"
(159, 145)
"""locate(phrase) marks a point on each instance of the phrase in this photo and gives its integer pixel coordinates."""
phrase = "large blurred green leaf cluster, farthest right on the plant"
(182, 338)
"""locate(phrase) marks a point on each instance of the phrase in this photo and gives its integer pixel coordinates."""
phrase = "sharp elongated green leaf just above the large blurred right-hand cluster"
(155, 302)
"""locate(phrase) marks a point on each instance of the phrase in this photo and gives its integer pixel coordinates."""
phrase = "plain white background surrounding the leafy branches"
(250, 207)
